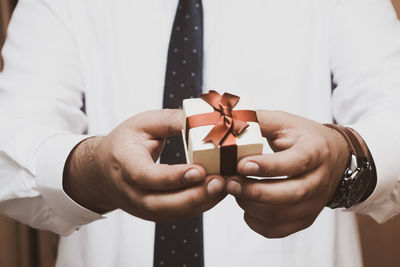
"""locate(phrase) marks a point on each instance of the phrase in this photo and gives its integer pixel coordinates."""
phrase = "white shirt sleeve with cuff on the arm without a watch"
(41, 89)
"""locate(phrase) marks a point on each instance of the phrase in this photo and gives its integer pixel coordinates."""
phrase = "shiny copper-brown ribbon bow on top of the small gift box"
(226, 123)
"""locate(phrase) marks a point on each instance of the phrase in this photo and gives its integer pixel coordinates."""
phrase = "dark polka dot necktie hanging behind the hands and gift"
(180, 243)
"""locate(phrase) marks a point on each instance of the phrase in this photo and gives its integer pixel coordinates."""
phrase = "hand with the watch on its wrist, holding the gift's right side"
(312, 156)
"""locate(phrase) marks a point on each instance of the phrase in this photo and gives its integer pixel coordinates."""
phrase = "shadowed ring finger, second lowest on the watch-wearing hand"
(278, 215)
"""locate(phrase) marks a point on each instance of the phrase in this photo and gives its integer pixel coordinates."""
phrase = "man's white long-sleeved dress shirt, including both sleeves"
(281, 53)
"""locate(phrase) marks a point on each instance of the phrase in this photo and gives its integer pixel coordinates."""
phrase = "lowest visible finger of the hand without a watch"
(169, 206)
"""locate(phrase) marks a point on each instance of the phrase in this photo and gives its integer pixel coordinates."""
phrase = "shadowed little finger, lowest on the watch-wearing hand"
(277, 230)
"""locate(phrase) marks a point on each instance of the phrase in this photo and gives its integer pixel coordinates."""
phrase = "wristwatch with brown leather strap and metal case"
(359, 176)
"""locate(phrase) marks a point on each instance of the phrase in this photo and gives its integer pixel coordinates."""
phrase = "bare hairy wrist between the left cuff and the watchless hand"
(82, 177)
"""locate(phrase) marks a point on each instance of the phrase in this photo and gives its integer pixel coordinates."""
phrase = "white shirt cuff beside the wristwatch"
(383, 141)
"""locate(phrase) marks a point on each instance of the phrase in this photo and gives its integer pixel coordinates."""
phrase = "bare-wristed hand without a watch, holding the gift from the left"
(119, 171)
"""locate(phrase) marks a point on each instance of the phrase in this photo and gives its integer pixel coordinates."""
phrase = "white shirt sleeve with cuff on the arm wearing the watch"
(365, 60)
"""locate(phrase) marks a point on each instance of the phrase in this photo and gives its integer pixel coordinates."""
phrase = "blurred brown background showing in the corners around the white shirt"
(22, 246)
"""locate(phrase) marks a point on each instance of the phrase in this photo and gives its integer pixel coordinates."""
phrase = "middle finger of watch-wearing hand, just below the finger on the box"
(288, 191)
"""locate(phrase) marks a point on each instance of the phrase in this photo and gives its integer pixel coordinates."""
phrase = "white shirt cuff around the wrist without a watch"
(50, 161)
